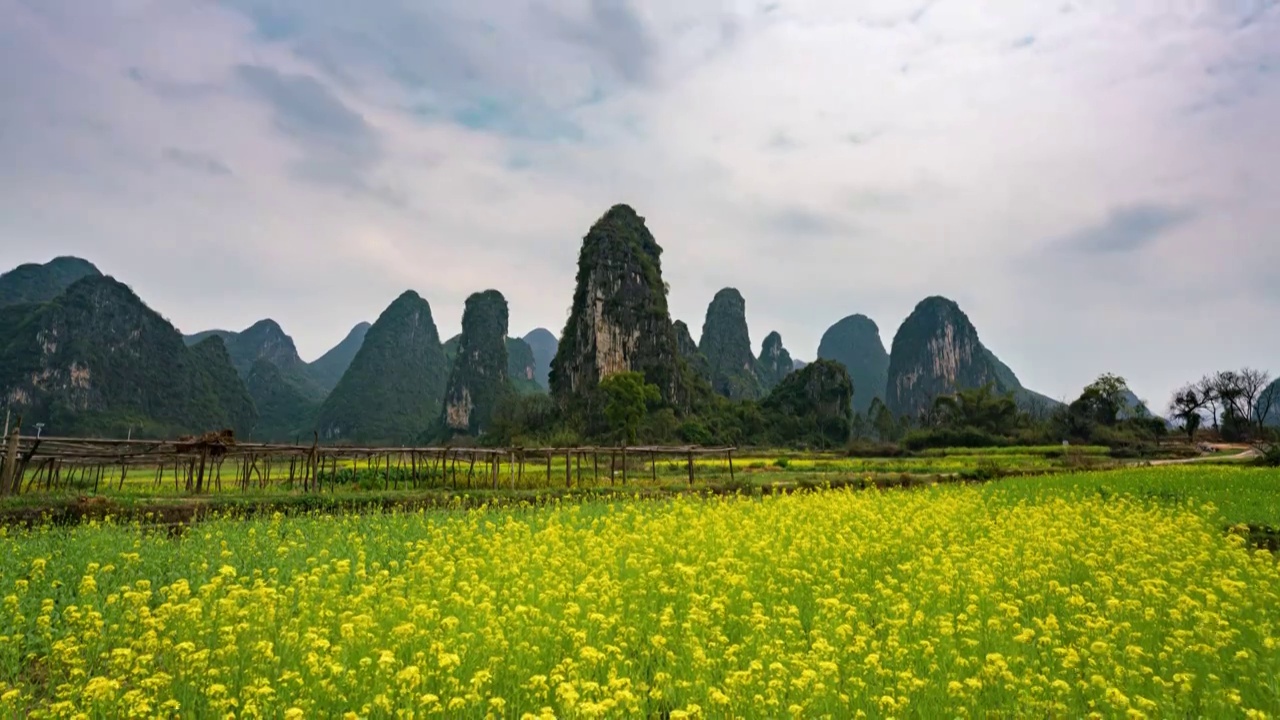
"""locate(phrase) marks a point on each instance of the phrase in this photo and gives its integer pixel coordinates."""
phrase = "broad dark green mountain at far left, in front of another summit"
(98, 362)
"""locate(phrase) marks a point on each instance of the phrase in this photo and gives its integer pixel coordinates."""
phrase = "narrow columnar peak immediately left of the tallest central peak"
(479, 377)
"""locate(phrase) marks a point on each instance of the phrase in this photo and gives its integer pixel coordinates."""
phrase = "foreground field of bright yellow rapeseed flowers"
(948, 601)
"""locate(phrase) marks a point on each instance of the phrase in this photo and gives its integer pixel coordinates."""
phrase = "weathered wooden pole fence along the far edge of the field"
(213, 462)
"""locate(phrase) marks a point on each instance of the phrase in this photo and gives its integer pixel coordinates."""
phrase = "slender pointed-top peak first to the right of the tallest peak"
(726, 344)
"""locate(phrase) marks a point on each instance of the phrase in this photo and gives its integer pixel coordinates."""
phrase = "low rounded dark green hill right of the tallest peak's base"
(811, 404)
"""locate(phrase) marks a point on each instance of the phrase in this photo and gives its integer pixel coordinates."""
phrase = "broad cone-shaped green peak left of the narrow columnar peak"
(395, 388)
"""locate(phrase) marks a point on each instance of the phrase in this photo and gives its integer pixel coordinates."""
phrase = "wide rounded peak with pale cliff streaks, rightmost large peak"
(936, 352)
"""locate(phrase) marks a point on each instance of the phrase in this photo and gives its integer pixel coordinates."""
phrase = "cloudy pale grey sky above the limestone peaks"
(1094, 181)
